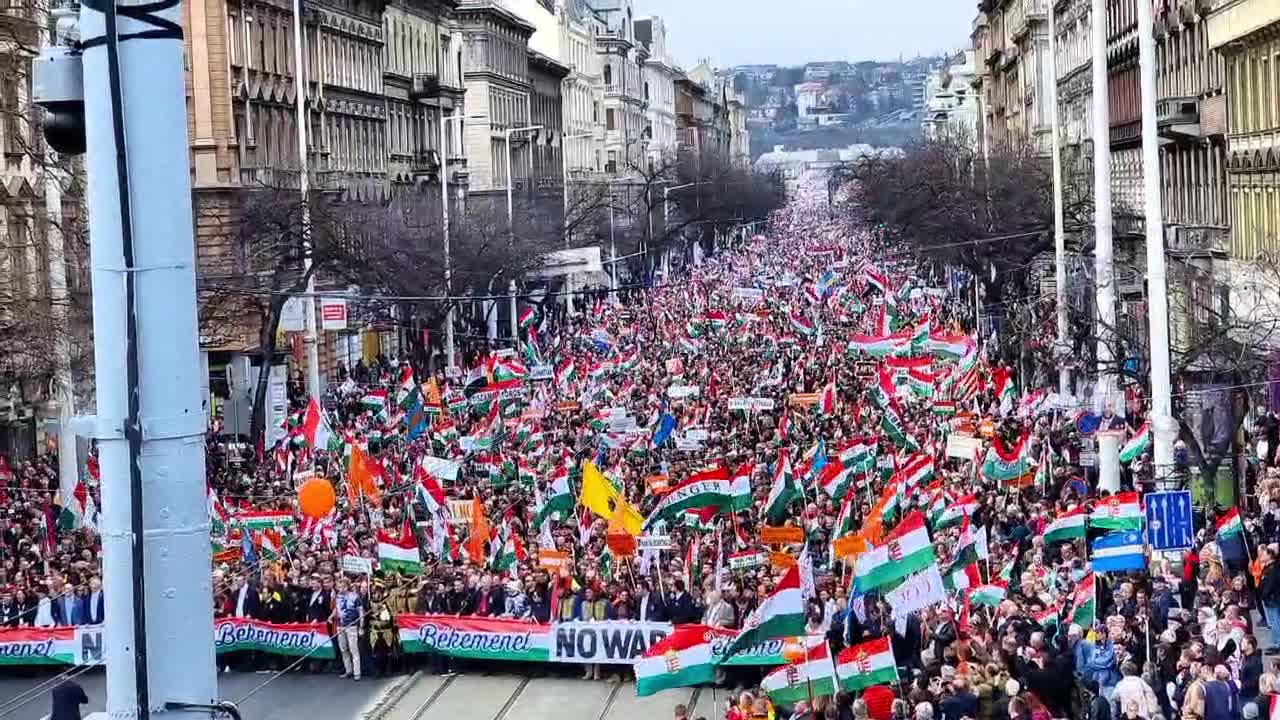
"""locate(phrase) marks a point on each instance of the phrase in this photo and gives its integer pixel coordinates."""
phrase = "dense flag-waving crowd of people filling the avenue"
(1182, 639)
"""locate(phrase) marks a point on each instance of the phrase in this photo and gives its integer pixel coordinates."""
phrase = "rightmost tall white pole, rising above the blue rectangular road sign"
(1164, 430)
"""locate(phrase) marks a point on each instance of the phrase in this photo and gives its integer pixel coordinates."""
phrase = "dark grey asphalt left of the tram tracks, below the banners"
(289, 698)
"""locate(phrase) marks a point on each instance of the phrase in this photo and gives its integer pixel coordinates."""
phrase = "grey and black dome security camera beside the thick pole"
(58, 86)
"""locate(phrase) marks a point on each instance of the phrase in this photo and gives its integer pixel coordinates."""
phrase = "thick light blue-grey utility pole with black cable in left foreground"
(159, 637)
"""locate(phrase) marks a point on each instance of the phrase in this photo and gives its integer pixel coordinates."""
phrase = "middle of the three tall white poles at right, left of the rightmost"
(1109, 445)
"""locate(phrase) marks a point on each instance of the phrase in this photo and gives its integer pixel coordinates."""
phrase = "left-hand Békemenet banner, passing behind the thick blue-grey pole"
(84, 645)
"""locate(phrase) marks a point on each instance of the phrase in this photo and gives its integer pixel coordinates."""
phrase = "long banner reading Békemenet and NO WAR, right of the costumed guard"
(612, 642)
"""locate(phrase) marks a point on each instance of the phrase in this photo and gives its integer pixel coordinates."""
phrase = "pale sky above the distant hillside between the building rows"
(790, 33)
